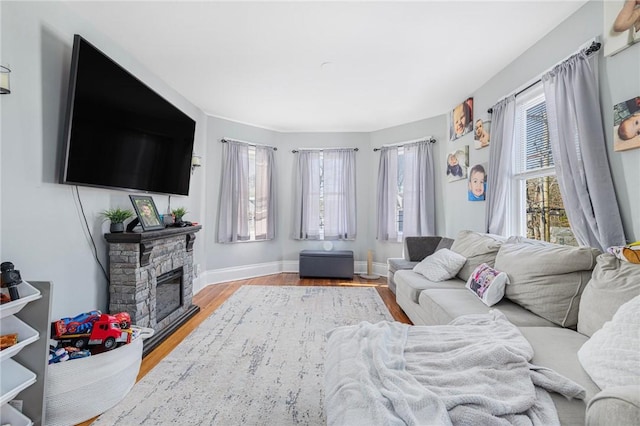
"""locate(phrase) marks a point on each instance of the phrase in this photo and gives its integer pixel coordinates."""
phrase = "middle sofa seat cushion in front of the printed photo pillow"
(444, 305)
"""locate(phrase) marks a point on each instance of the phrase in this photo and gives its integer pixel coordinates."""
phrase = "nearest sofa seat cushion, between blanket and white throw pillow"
(557, 348)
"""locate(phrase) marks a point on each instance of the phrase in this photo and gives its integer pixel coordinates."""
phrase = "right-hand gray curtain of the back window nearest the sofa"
(419, 190)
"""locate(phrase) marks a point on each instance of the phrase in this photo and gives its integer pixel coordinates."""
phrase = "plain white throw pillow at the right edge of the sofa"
(611, 356)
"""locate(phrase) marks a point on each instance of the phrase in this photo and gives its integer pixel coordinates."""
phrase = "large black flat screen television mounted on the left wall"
(120, 133)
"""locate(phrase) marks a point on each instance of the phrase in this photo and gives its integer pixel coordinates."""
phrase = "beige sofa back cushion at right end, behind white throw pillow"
(613, 283)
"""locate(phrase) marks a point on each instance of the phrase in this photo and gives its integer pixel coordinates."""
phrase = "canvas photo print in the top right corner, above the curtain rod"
(621, 25)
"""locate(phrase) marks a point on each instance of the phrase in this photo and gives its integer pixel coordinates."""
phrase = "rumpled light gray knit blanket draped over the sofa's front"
(473, 371)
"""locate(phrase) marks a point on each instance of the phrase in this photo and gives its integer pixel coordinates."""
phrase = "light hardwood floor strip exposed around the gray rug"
(211, 297)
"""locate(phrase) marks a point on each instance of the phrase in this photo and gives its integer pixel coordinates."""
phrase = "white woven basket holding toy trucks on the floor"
(83, 388)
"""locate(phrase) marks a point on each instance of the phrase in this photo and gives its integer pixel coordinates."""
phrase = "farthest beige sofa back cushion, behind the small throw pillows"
(477, 248)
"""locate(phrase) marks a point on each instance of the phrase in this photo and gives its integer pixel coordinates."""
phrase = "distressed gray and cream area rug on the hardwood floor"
(257, 360)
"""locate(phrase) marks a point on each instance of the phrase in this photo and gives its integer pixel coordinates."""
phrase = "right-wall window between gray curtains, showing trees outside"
(539, 211)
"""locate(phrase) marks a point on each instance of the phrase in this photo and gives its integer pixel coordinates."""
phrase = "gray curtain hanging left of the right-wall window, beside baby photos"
(500, 169)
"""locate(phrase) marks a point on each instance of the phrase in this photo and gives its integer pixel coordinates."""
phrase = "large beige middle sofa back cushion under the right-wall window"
(547, 279)
